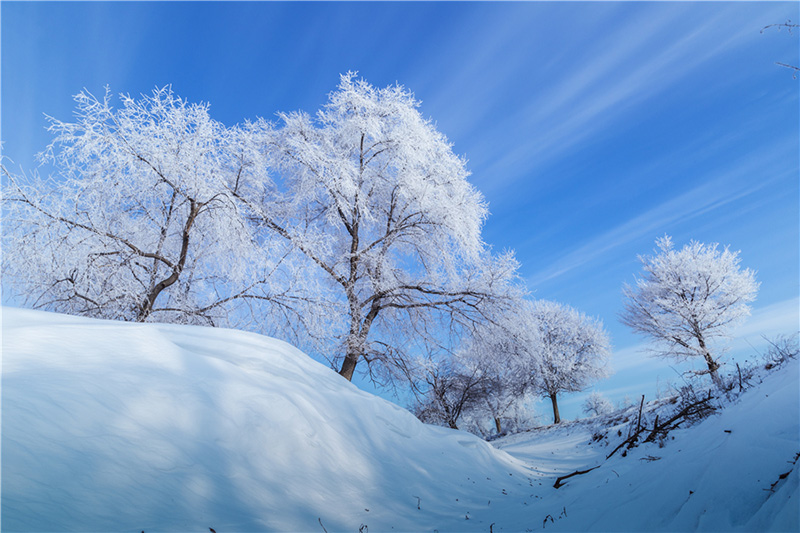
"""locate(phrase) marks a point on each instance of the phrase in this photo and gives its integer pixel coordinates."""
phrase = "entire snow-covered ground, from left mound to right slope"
(110, 426)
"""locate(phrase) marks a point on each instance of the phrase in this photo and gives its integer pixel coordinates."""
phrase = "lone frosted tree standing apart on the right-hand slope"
(688, 298)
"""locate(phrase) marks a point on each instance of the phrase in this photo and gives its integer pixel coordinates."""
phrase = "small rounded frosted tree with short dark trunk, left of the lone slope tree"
(570, 353)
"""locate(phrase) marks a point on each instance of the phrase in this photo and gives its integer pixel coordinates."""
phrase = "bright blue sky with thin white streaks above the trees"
(591, 128)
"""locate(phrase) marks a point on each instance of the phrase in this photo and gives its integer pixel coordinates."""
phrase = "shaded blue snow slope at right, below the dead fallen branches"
(723, 474)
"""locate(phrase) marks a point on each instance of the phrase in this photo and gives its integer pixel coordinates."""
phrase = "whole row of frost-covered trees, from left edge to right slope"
(353, 232)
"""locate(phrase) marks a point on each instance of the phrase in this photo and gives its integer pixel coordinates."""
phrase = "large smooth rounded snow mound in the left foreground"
(111, 426)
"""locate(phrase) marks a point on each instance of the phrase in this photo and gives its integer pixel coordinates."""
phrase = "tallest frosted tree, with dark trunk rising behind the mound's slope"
(380, 206)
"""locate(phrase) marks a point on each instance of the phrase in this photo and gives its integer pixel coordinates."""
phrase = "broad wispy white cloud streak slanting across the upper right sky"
(611, 81)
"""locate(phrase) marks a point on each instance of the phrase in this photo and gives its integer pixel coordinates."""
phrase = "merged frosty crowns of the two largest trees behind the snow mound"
(356, 230)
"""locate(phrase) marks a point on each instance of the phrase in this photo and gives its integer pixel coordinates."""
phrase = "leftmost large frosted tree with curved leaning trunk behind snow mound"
(138, 223)
